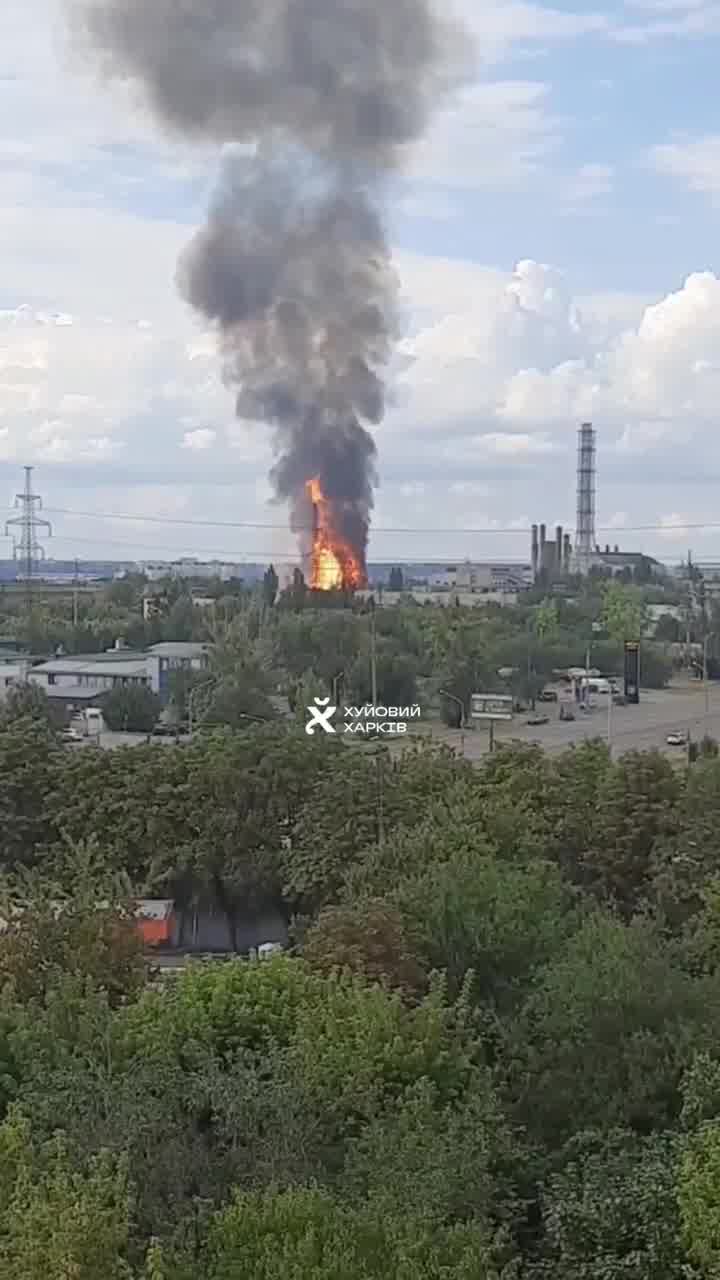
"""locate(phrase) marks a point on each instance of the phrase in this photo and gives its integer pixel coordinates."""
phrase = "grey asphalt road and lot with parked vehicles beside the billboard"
(632, 729)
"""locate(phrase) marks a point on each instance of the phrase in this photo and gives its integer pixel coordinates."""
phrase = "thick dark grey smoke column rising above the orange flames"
(293, 267)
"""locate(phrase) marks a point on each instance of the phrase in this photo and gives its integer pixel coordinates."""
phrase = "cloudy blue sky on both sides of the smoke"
(557, 237)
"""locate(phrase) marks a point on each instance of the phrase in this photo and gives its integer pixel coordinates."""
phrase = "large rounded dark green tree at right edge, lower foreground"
(603, 1040)
